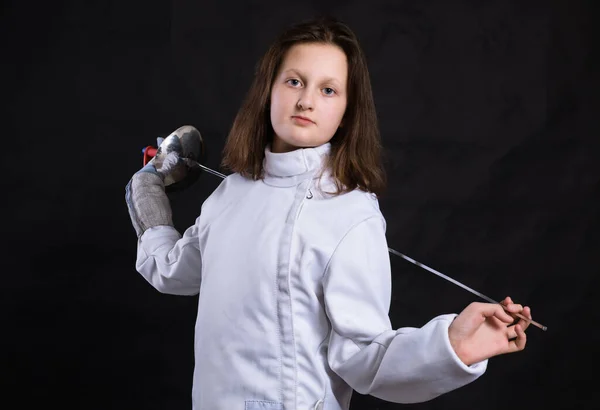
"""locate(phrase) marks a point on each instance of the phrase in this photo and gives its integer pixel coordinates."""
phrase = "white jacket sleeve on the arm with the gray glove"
(170, 262)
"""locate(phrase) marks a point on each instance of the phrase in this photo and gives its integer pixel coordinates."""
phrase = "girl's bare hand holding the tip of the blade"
(484, 330)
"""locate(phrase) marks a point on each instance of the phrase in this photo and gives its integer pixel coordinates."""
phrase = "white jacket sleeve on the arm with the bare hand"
(407, 365)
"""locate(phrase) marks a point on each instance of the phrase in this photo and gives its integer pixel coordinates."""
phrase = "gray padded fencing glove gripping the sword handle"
(145, 195)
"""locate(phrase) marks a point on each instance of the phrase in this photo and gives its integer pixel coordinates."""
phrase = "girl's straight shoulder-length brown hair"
(355, 157)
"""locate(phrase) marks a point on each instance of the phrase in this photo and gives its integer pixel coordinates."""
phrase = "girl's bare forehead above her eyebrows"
(317, 60)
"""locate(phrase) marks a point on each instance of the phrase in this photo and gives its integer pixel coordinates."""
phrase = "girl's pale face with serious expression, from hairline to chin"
(308, 96)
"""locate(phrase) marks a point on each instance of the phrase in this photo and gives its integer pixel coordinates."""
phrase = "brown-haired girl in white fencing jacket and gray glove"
(289, 255)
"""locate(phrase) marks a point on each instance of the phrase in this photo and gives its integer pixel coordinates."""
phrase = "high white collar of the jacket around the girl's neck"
(290, 168)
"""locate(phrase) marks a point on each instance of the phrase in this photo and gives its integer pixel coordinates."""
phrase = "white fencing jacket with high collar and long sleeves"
(294, 293)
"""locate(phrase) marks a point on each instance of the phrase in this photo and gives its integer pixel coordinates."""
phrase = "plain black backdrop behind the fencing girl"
(489, 118)
